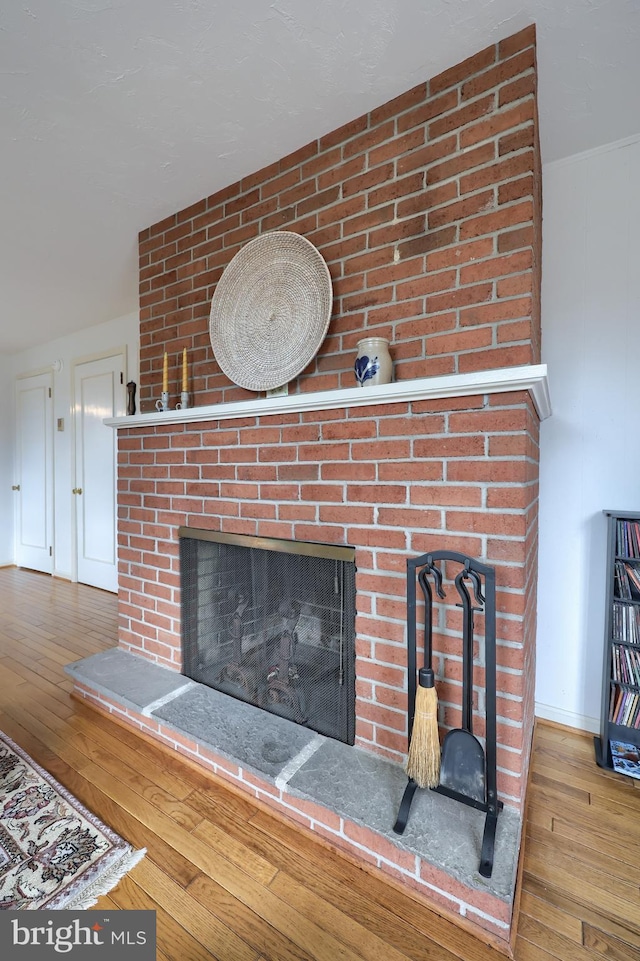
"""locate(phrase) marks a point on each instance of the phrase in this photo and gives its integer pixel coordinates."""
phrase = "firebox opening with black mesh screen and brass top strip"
(272, 622)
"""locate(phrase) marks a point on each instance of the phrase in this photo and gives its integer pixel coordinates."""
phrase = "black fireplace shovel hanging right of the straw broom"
(463, 765)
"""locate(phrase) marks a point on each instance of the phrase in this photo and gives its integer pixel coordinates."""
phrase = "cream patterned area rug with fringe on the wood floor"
(53, 852)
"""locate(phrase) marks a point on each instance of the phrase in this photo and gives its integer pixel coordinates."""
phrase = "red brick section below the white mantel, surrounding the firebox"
(394, 482)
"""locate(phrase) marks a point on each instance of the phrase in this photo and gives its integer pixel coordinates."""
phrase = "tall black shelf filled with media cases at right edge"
(620, 711)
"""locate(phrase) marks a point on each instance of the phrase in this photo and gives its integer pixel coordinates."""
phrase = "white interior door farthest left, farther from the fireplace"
(34, 481)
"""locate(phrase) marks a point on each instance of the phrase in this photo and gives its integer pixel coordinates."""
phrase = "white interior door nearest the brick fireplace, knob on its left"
(98, 393)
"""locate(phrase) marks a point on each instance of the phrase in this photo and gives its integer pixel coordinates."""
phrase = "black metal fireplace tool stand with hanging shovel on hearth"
(468, 773)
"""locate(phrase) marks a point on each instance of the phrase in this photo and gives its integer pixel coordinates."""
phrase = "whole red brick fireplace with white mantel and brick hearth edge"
(427, 211)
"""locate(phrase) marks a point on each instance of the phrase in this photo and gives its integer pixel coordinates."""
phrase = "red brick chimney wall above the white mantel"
(427, 211)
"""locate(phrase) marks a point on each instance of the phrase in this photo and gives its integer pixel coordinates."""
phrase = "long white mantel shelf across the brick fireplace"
(531, 377)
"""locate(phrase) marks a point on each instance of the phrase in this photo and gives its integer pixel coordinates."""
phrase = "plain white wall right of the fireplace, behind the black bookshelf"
(590, 450)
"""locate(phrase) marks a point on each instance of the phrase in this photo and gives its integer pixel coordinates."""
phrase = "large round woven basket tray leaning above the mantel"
(270, 310)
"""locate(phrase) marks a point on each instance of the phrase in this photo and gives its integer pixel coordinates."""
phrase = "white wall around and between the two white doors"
(121, 332)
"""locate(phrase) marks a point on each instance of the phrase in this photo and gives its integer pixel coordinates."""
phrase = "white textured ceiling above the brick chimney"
(117, 113)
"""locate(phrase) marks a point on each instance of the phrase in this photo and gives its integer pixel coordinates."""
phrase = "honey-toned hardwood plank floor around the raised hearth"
(231, 881)
